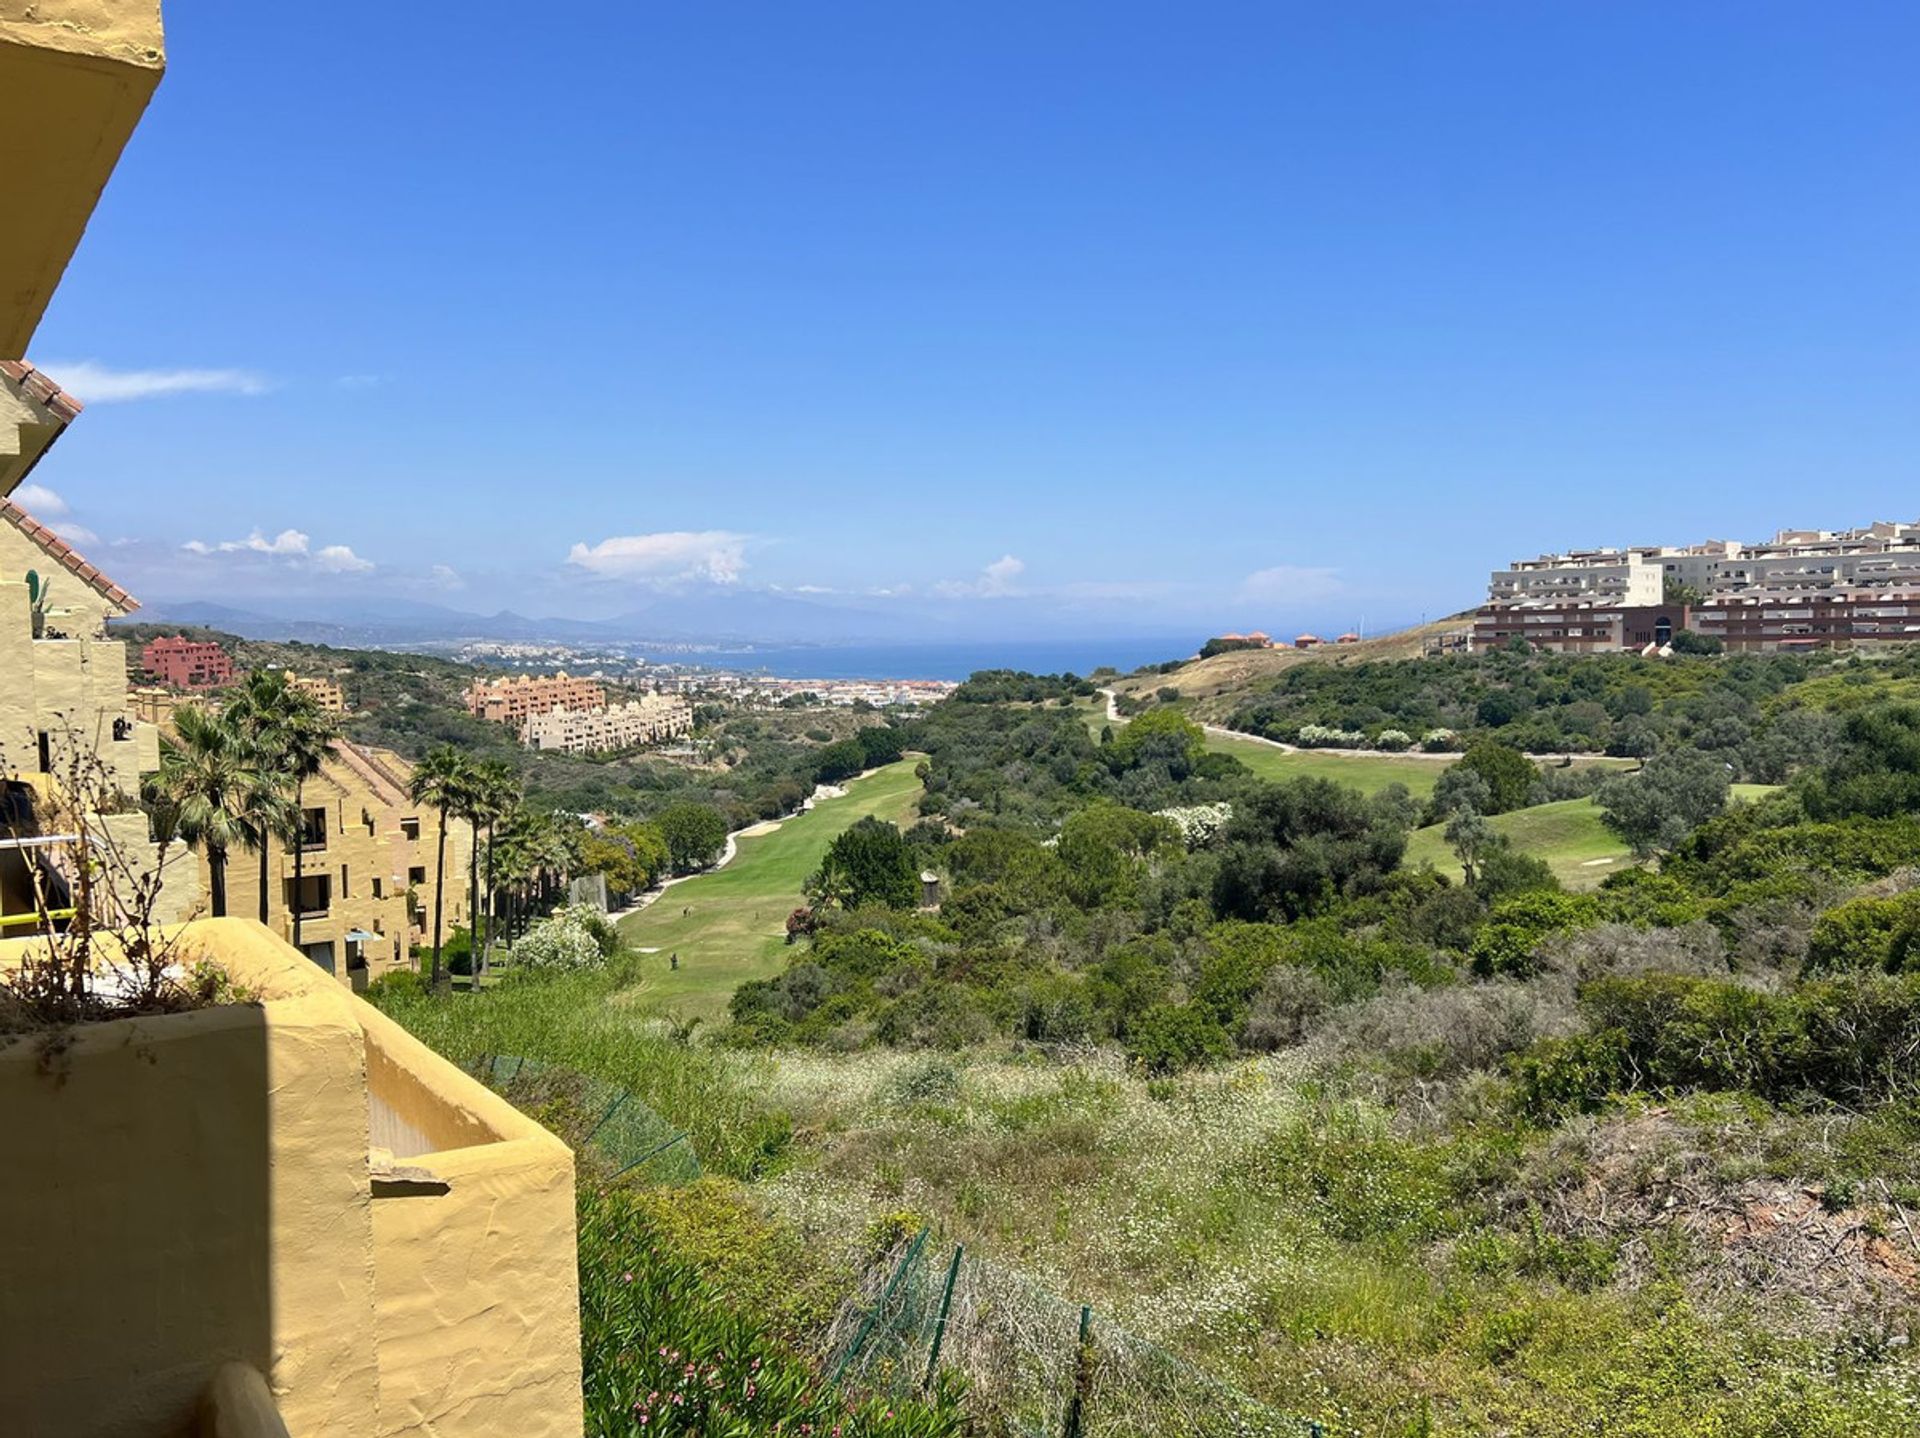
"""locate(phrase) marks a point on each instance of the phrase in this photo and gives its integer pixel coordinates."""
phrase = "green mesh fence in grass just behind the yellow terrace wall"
(606, 1124)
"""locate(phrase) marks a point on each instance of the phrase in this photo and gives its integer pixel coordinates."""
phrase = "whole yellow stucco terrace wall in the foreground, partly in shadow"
(201, 1189)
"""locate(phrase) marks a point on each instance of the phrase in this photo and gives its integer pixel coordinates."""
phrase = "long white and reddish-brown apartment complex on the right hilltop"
(1802, 588)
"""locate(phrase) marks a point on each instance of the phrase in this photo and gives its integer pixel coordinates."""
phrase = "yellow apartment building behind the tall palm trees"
(364, 878)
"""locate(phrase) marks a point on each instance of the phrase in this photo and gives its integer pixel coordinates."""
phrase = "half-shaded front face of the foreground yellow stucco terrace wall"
(180, 1193)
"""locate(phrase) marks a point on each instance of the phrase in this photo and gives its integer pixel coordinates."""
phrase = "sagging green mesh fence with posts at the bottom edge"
(1036, 1364)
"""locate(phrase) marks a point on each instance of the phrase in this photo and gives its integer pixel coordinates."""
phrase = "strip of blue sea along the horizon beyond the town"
(926, 661)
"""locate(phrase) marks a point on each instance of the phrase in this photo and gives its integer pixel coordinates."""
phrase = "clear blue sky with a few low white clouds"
(1011, 320)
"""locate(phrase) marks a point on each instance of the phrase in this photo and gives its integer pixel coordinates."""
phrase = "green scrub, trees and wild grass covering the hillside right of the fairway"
(1378, 1109)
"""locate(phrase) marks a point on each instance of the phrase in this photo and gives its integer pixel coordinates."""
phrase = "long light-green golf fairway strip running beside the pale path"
(731, 926)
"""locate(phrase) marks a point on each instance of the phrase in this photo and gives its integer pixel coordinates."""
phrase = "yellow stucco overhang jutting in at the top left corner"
(85, 72)
